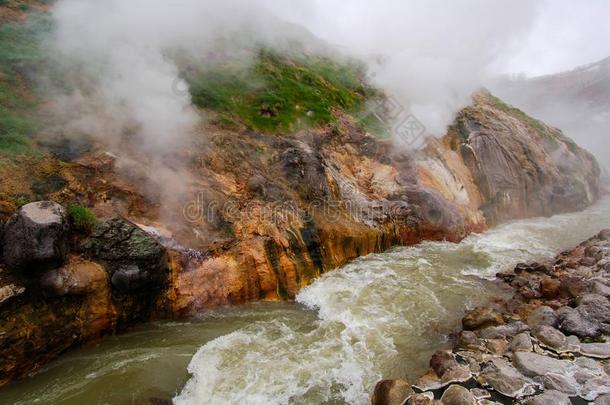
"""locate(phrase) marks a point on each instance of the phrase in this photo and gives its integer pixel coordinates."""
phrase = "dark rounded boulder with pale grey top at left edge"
(36, 236)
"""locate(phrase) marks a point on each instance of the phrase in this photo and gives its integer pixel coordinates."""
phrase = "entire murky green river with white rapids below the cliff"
(381, 315)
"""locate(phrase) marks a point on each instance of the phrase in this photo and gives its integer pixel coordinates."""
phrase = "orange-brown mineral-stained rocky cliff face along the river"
(263, 215)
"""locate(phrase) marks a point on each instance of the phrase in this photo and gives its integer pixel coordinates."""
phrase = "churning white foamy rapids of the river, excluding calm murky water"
(381, 315)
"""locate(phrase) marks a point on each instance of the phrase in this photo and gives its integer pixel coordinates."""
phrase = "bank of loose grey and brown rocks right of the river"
(547, 345)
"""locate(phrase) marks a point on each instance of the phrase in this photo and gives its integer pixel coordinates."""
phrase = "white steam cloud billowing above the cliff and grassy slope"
(430, 55)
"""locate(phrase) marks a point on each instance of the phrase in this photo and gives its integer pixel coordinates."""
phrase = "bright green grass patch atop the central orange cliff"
(281, 93)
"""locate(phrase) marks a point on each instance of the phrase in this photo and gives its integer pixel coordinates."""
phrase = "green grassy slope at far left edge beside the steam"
(20, 57)
